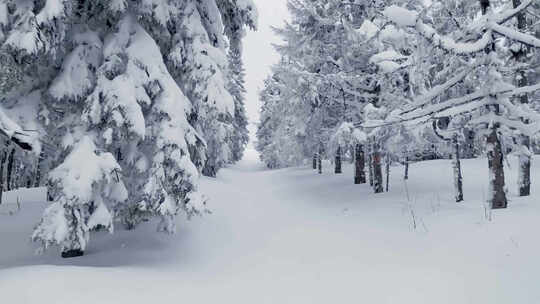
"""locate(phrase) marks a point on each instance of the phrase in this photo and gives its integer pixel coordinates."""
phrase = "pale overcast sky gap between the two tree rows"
(259, 54)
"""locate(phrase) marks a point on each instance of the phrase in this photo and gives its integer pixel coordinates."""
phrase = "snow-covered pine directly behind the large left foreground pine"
(199, 58)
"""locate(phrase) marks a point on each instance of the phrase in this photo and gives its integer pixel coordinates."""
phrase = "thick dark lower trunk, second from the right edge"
(497, 195)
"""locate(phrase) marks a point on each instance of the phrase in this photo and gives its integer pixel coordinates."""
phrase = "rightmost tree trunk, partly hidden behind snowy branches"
(524, 174)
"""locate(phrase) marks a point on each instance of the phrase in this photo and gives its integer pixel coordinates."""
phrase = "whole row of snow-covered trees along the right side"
(394, 81)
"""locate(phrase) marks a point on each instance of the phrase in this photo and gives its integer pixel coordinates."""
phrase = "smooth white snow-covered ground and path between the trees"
(293, 236)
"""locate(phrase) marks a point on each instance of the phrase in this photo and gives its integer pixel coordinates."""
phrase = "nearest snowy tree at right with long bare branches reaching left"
(483, 63)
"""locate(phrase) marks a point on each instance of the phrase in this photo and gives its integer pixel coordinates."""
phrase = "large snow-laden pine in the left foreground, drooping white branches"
(101, 81)
